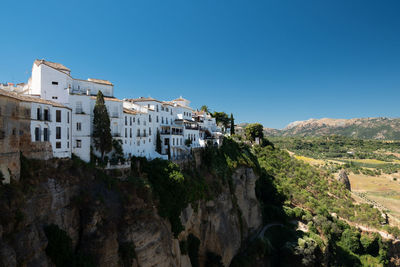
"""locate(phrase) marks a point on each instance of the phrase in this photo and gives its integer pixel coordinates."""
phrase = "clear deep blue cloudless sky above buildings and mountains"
(265, 61)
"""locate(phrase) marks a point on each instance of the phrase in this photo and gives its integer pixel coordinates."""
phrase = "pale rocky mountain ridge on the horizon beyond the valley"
(366, 128)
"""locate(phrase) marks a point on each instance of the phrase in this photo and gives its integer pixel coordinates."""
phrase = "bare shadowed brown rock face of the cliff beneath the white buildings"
(99, 221)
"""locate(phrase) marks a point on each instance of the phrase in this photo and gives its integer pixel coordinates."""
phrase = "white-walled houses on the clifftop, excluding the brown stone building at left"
(135, 122)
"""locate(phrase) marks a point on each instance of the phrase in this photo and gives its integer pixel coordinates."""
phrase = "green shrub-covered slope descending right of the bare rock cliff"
(293, 192)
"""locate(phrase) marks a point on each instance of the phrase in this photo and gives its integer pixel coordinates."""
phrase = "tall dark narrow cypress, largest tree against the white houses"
(101, 126)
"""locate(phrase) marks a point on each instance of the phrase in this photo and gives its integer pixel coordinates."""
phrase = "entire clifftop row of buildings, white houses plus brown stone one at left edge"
(52, 116)
